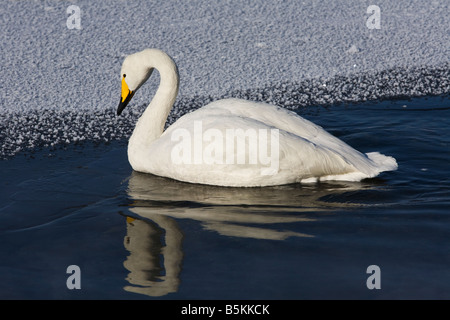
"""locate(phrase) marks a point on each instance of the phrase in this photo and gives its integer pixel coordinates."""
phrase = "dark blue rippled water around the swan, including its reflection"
(137, 236)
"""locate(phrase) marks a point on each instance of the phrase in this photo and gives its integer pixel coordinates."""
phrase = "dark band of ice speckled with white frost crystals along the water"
(23, 132)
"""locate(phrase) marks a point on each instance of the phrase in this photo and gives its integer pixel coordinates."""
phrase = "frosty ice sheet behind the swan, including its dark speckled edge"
(61, 85)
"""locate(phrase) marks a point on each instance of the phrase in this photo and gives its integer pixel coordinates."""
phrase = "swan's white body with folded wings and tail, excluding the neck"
(306, 152)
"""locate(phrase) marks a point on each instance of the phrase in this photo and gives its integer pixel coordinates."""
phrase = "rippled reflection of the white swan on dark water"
(154, 239)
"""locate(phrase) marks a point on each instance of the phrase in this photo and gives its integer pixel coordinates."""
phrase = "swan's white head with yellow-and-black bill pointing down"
(133, 74)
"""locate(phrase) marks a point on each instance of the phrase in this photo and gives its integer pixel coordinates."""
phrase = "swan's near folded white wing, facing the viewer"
(198, 149)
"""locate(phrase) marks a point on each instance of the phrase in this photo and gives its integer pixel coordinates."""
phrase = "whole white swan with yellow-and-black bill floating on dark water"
(233, 142)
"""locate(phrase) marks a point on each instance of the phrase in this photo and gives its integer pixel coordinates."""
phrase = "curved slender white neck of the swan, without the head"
(150, 125)
